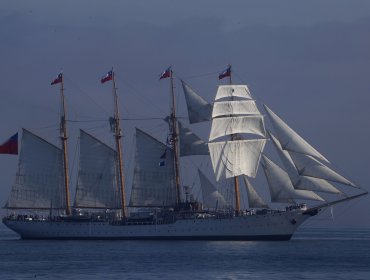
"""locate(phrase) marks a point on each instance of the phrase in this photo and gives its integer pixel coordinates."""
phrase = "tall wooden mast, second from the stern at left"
(118, 136)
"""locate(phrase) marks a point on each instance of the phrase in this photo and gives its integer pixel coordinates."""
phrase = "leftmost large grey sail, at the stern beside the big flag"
(39, 181)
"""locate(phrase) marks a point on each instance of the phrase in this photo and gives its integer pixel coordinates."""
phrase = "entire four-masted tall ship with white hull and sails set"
(160, 207)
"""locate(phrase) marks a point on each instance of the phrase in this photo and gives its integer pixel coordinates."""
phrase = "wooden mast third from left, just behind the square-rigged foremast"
(174, 138)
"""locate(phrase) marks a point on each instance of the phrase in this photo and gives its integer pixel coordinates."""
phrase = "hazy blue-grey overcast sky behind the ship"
(307, 60)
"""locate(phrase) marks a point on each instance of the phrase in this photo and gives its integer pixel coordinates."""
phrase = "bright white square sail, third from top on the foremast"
(232, 125)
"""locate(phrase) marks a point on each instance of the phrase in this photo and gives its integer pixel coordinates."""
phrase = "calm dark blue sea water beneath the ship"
(311, 254)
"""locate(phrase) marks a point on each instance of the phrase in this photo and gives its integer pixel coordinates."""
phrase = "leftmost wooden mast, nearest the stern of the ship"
(64, 137)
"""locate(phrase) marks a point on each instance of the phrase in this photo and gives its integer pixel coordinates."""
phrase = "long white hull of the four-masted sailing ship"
(272, 226)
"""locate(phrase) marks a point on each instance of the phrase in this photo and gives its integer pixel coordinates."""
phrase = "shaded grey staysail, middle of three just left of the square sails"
(190, 143)
